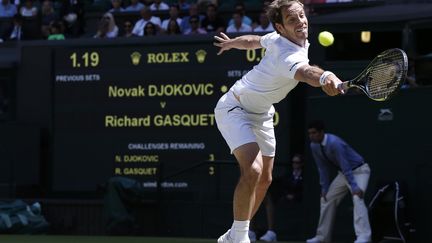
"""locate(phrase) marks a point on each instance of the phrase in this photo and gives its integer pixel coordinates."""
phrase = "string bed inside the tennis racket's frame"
(385, 75)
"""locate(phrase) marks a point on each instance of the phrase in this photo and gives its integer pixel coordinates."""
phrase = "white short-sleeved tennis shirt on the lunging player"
(273, 78)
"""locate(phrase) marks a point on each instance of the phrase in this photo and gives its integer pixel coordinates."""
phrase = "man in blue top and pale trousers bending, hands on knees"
(329, 150)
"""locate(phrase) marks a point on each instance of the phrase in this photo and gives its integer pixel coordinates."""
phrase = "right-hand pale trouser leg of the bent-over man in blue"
(361, 217)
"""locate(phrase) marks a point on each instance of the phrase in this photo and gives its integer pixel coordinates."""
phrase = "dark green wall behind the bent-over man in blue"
(396, 149)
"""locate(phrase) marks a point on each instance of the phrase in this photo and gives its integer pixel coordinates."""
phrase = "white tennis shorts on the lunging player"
(239, 127)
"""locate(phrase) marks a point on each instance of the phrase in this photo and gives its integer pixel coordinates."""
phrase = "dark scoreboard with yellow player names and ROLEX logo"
(144, 111)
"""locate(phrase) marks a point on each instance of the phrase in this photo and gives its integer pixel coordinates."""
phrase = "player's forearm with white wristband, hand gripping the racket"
(317, 77)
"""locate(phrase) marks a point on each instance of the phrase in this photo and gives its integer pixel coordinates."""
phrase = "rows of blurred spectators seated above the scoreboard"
(60, 19)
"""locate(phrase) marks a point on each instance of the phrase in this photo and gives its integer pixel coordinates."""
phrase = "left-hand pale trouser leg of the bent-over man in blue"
(335, 194)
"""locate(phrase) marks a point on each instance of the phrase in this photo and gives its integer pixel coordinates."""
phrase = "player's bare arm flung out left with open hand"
(243, 42)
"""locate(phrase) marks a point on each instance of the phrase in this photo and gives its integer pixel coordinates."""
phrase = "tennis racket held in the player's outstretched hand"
(382, 78)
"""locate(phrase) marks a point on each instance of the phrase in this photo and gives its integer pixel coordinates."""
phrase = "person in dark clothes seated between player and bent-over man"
(287, 188)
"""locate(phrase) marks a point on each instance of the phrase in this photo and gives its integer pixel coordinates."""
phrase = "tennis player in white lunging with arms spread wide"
(244, 114)
